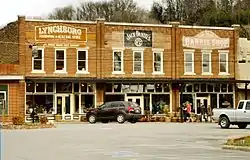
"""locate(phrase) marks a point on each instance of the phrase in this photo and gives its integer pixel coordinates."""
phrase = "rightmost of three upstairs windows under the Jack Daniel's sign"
(158, 62)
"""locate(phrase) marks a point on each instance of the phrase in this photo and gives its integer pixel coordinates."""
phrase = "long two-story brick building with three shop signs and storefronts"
(70, 66)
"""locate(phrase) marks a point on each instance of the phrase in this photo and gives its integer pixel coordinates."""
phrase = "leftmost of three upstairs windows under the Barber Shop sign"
(189, 62)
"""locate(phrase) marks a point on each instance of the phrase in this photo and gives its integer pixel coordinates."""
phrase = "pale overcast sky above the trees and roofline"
(11, 8)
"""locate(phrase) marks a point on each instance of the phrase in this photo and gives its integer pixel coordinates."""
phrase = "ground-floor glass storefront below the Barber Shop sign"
(212, 95)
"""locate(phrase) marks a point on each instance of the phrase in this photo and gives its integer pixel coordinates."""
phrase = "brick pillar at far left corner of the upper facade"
(21, 44)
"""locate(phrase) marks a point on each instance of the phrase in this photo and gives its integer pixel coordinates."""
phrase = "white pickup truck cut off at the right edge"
(240, 116)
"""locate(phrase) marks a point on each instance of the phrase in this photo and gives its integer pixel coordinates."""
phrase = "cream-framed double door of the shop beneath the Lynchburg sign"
(63, 106)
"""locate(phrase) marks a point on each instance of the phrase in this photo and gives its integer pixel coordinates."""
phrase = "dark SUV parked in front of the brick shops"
(119, 111)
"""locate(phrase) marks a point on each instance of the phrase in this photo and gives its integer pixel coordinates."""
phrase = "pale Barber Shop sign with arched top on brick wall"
(206, 40)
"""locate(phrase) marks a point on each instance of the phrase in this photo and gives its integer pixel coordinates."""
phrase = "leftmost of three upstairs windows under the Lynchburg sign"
(38, 61)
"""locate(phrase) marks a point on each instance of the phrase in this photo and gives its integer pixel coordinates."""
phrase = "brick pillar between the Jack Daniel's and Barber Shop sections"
(174, 62)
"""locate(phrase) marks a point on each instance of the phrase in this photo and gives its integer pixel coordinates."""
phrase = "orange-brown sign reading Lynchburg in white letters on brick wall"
(61, 32)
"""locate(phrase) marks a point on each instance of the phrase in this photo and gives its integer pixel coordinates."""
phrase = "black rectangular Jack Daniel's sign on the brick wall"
(137, 38)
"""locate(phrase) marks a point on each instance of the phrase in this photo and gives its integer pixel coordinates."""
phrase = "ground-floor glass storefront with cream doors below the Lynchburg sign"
(66, 100)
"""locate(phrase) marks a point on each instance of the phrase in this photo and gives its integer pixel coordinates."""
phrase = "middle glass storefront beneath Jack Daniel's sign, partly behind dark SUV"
(154, 98)
